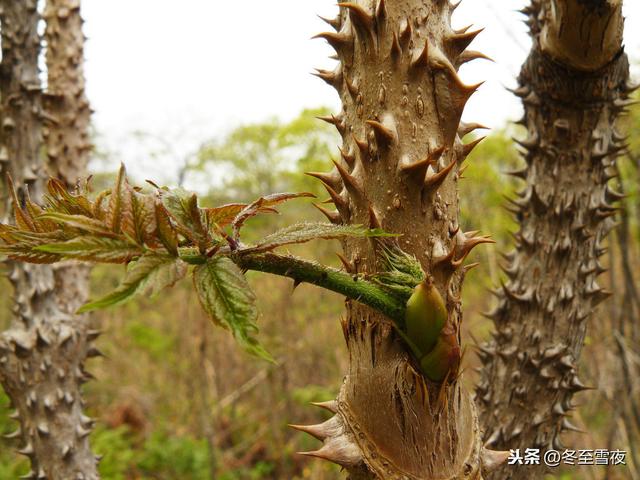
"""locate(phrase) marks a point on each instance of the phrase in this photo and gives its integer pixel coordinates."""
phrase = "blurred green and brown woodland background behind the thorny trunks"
(175, 397)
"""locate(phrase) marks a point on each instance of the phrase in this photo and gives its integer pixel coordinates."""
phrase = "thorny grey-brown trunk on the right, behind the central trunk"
(573, 86)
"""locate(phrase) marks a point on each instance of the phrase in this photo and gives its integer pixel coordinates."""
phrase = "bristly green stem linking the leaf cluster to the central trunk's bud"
(337, 281)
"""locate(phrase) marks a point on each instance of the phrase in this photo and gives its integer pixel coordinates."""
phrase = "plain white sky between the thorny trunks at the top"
(185, 71)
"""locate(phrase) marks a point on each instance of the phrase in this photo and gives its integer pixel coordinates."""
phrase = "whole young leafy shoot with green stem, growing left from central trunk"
(156, 234)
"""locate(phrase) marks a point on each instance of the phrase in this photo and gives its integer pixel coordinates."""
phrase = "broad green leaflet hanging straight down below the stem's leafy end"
(228, 299)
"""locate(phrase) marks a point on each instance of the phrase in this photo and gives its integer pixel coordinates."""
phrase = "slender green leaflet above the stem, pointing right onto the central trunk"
(305, 232)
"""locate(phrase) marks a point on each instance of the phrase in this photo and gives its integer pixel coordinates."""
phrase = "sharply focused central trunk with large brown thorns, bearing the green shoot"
(401, 160)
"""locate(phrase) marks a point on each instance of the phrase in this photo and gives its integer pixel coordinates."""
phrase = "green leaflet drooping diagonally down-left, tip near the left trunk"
(146, 276)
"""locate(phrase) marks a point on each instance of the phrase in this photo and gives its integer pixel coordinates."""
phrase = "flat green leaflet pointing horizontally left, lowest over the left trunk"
(94, 249)
